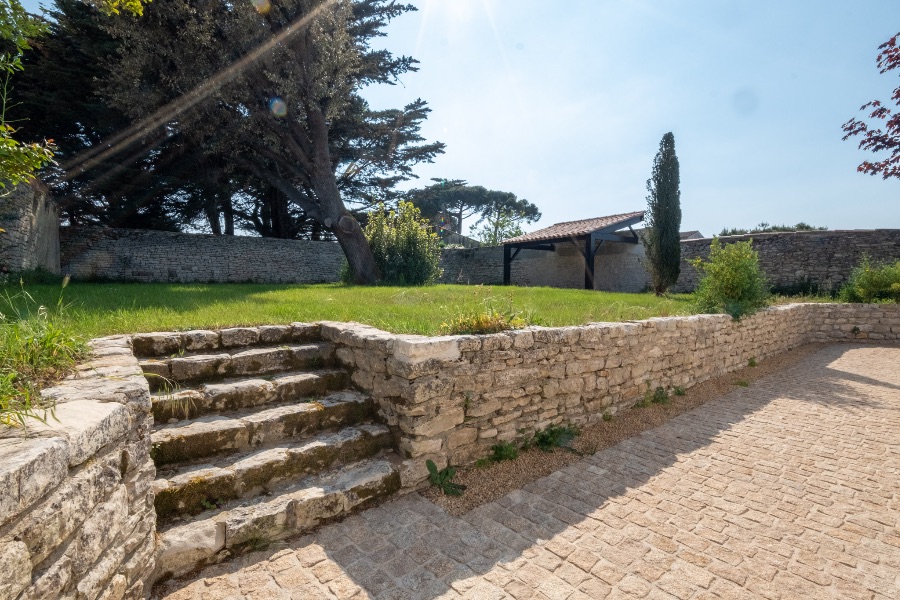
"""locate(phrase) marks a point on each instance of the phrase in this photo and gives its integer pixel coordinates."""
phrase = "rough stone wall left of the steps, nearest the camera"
(76, 506)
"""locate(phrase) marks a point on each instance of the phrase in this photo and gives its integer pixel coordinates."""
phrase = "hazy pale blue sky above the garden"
(565, 103)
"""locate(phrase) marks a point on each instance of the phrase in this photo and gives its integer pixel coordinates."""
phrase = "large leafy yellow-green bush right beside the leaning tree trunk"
(406, 251)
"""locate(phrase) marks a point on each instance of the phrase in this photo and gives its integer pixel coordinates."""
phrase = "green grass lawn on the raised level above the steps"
(96, 309)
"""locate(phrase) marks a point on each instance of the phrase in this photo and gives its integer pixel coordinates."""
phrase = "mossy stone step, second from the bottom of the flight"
(189, 489)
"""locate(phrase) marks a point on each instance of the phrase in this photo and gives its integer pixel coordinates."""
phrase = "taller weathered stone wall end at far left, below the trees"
(31, 223)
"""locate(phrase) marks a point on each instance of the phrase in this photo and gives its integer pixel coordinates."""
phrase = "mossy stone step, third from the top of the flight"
(236, 394)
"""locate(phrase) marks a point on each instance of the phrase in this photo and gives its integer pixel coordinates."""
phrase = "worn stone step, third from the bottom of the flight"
(246, 429)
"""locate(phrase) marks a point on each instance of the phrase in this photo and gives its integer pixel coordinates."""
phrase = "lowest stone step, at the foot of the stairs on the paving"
(289, 511)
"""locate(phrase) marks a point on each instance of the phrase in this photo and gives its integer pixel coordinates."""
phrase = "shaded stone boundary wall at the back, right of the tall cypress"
(823, 258)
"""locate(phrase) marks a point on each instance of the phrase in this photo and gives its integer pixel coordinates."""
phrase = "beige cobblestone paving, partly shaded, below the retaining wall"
(787, 489)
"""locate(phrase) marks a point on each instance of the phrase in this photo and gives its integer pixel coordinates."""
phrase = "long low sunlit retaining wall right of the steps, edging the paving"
(451, 398)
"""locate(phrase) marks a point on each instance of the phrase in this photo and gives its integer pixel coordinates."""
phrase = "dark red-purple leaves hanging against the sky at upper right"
(875, 139)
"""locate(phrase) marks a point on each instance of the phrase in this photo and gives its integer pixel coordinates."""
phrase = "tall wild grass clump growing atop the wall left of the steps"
(35, 350)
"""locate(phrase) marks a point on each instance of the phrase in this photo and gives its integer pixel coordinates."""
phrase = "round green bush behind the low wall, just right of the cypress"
(731, 280)
